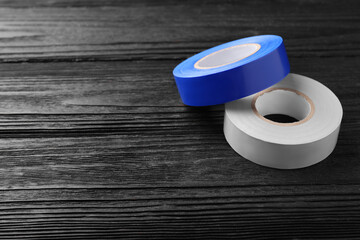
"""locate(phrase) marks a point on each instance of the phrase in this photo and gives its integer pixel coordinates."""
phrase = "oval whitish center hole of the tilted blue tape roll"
(227, 55)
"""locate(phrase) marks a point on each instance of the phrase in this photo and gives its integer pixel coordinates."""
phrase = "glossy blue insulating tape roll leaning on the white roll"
(204, 82)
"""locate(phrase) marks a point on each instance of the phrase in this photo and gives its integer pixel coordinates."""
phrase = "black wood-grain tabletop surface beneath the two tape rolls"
(95, 142)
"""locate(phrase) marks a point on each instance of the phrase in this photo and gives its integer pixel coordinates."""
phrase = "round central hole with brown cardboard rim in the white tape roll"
(283, 106)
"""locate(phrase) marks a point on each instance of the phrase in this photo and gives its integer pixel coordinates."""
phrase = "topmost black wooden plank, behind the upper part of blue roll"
(131, 30)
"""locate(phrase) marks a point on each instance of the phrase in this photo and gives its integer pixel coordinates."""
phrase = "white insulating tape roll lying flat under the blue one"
(285, 145)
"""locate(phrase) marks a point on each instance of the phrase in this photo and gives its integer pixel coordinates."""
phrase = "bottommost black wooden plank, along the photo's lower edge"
(178, 213)
